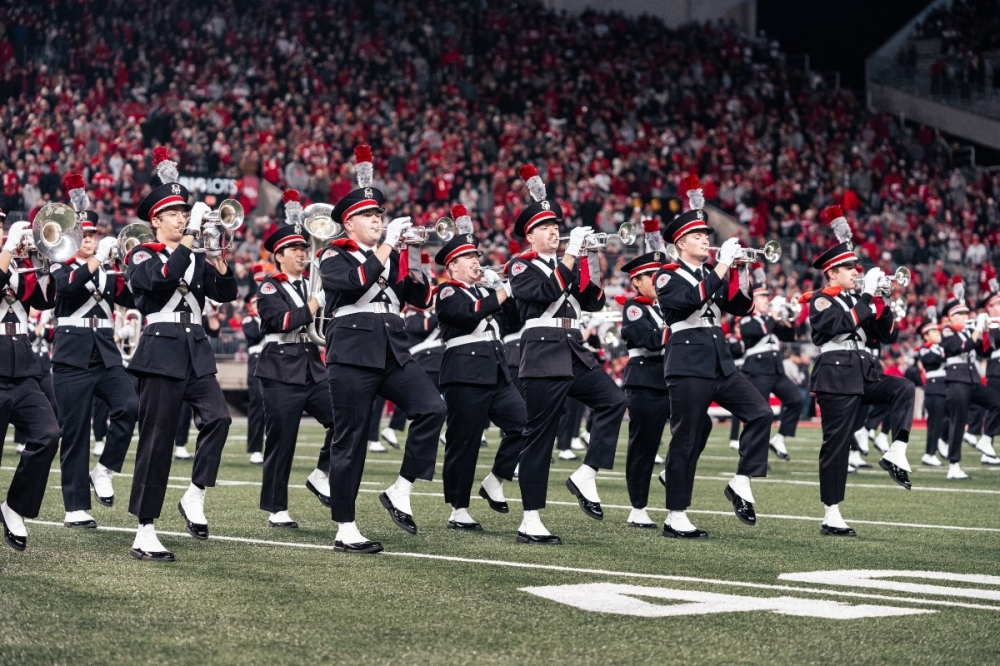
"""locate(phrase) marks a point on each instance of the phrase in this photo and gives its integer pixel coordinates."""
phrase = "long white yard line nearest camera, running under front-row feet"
(577, 570)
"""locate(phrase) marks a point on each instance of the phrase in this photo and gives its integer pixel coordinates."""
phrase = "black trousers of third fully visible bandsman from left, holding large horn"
(285, 404)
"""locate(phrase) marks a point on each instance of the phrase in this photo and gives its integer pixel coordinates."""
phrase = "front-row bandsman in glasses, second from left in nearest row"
(174, 359)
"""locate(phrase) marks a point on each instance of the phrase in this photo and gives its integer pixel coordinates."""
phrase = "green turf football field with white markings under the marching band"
(920, 584)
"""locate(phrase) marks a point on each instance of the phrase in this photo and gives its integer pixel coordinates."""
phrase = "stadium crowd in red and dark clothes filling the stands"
(454, 98)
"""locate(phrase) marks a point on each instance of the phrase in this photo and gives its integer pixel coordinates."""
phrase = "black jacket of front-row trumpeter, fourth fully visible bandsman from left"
(360, 339)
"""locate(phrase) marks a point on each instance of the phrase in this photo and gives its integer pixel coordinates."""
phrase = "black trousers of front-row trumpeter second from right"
(690, 398)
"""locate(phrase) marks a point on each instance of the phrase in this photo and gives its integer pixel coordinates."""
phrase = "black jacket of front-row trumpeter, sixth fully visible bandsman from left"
(548, 351)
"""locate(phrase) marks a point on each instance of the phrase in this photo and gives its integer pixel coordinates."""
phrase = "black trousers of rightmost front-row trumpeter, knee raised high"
(839, 412)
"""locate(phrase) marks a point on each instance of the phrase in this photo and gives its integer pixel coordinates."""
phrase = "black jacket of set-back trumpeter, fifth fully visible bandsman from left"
(461, 308)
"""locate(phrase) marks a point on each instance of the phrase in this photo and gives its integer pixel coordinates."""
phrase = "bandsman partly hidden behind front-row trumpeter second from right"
(645, 333)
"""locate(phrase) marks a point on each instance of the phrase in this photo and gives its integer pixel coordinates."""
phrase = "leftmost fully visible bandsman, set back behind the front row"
(86, 362)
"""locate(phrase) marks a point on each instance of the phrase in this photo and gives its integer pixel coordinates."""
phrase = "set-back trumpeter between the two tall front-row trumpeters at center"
(474, 376)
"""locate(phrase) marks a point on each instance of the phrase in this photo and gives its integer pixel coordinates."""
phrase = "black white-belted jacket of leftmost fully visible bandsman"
(74, 285)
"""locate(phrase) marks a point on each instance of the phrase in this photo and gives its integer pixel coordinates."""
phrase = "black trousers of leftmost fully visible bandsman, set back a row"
(75, 390)
